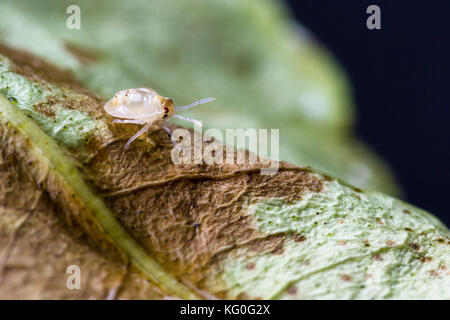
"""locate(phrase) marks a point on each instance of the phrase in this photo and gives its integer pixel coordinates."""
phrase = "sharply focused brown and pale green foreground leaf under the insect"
(139, 226)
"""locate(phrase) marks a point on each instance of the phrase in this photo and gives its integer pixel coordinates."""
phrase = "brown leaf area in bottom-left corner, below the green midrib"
(37, 246)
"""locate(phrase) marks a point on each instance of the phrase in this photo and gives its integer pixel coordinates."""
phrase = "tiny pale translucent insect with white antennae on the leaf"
(145, 106)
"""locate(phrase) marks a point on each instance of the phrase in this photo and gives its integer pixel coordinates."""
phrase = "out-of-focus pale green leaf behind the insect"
(264, 71)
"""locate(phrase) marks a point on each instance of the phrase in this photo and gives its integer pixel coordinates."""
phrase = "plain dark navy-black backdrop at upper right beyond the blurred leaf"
(401, 80)
